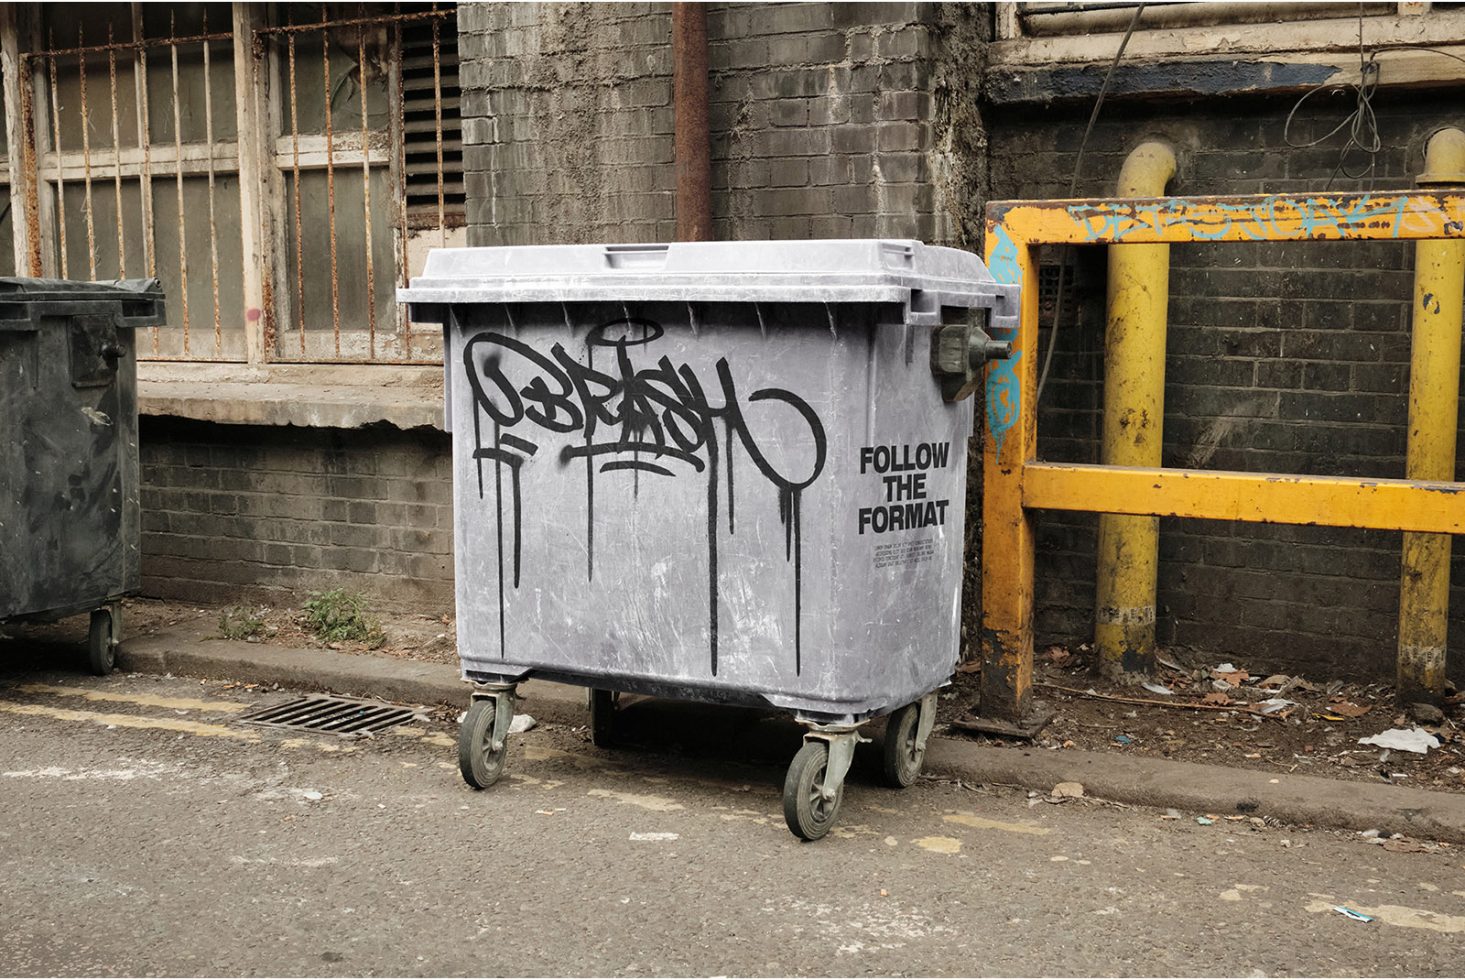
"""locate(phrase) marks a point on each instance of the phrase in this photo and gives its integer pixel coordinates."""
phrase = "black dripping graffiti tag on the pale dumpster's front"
(647, 420)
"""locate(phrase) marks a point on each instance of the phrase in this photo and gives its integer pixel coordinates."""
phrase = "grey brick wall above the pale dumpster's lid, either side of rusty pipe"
(828, 121)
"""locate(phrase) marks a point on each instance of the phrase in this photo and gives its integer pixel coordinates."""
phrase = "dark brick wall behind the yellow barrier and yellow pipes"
(1287, 358)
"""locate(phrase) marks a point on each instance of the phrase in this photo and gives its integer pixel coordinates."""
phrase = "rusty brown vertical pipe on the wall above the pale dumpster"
(692, 140)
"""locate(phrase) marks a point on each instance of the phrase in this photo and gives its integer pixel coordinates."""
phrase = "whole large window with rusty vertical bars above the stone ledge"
(407, 144)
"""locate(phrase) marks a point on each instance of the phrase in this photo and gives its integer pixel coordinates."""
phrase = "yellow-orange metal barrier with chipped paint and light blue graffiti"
(1013, 480)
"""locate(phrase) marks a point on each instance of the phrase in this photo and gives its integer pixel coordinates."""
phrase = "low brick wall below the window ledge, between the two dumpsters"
(272, 513)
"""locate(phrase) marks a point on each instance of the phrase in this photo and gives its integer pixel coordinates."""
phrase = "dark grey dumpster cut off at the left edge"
(70, 518)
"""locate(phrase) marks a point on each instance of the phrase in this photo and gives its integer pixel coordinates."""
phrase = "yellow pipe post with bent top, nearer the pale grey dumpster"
(1133, 423)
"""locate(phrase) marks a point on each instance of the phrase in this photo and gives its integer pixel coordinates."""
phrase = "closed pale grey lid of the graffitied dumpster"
(820, 272)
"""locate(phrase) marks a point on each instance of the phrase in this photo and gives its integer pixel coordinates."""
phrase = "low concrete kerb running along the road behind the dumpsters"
(1121, 779)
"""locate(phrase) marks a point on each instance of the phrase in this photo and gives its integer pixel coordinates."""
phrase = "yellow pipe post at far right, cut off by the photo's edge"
(1435, 370)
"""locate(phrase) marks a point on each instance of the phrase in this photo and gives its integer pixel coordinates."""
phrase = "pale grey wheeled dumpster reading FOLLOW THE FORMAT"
(722, 472)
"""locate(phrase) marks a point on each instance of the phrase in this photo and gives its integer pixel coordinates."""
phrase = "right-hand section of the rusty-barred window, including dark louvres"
(354, 326)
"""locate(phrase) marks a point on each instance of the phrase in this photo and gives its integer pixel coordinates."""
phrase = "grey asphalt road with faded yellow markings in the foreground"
(143, 830)
